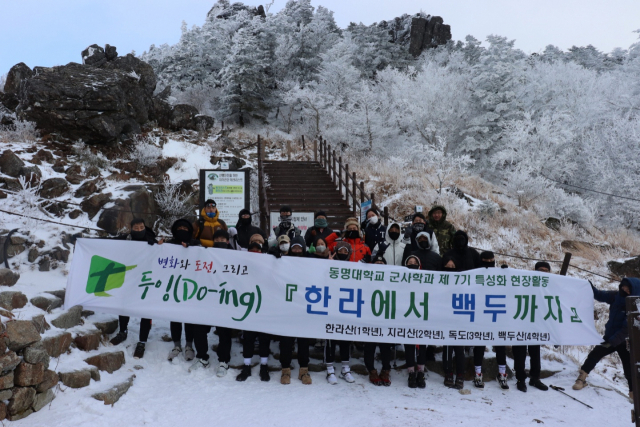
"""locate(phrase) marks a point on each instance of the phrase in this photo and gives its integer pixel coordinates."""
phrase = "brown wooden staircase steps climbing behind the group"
(306, 187)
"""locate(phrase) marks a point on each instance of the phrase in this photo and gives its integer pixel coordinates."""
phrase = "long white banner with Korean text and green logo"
(330, 299)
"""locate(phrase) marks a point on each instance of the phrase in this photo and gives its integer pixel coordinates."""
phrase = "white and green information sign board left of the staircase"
(229, 190)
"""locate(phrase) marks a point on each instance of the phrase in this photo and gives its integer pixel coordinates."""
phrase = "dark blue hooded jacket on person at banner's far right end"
(615, 331)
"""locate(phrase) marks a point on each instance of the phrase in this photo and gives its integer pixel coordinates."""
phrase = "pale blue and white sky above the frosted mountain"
(43, 32)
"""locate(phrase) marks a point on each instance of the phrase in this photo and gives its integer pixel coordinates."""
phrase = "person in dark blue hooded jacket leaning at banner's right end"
(615, 331)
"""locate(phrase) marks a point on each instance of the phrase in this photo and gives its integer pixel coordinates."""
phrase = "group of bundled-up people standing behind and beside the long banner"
(430, 242)
